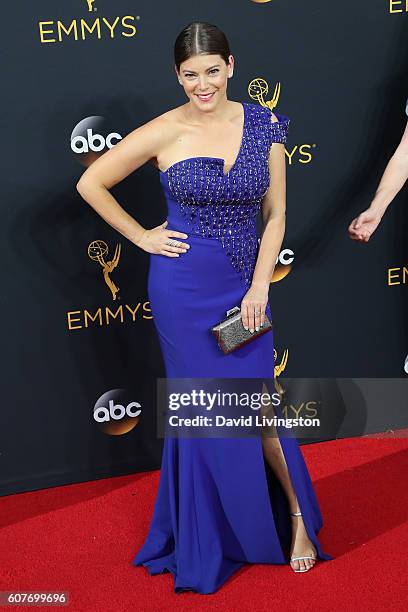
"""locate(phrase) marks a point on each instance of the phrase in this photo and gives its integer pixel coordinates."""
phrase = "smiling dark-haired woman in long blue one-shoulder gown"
(219, 503)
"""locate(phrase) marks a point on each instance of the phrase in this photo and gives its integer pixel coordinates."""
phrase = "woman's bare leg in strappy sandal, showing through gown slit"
(272, 449)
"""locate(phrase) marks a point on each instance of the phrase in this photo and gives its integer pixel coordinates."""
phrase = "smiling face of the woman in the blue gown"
(205, 74)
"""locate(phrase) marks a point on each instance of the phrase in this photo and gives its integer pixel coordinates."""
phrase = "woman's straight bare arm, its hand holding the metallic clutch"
(274, 218)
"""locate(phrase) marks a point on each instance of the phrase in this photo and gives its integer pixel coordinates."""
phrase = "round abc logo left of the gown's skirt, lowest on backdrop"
(115, 413)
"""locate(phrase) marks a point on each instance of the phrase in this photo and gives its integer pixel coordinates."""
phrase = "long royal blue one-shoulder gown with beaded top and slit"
(218, 505)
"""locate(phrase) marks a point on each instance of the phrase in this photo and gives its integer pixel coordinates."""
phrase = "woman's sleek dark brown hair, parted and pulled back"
(200, 38)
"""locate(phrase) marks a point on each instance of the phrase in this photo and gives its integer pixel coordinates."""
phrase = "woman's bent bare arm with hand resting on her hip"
(138, 147)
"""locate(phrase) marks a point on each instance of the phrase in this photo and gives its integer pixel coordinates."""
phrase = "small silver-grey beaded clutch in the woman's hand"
(231, 334)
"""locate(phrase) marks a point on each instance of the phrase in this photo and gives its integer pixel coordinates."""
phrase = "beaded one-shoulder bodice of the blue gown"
(225, 206)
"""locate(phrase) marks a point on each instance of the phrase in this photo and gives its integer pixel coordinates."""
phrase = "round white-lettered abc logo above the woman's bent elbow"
(91, 137)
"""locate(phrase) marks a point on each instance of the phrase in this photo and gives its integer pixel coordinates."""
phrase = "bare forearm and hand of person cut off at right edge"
(391, 183)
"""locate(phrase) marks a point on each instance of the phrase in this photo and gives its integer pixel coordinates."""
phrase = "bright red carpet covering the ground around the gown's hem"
(81, 539)
